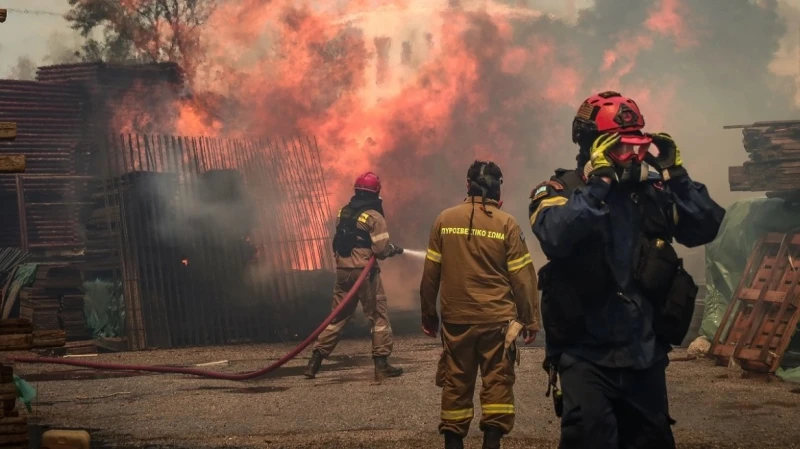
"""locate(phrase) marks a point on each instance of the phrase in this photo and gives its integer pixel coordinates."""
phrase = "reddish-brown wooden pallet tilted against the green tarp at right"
(763, 314)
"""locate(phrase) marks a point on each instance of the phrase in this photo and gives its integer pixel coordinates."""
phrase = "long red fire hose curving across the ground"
(211, 374)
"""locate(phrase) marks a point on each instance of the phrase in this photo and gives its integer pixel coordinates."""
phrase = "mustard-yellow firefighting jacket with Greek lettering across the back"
(489, 278)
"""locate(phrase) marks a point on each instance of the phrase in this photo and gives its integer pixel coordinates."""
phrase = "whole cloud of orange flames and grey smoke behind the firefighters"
(416, 90)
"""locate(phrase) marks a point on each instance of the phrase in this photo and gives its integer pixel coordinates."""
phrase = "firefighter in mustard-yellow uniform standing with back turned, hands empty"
(478, 255)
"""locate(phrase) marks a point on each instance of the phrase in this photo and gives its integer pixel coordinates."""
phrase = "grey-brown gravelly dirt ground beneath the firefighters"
(343, 408)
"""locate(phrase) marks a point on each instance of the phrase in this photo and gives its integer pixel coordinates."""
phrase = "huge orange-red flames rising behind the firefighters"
(415, 89)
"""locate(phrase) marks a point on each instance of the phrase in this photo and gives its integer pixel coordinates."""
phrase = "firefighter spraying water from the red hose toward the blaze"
(361, 232)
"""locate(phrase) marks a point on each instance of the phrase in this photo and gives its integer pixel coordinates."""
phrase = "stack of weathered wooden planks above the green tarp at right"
(774, 152)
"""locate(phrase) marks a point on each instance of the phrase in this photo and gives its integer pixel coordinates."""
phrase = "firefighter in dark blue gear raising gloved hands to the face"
(615, 296)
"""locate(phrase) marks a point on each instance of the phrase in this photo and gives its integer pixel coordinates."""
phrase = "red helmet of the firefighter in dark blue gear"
(606, 112)
